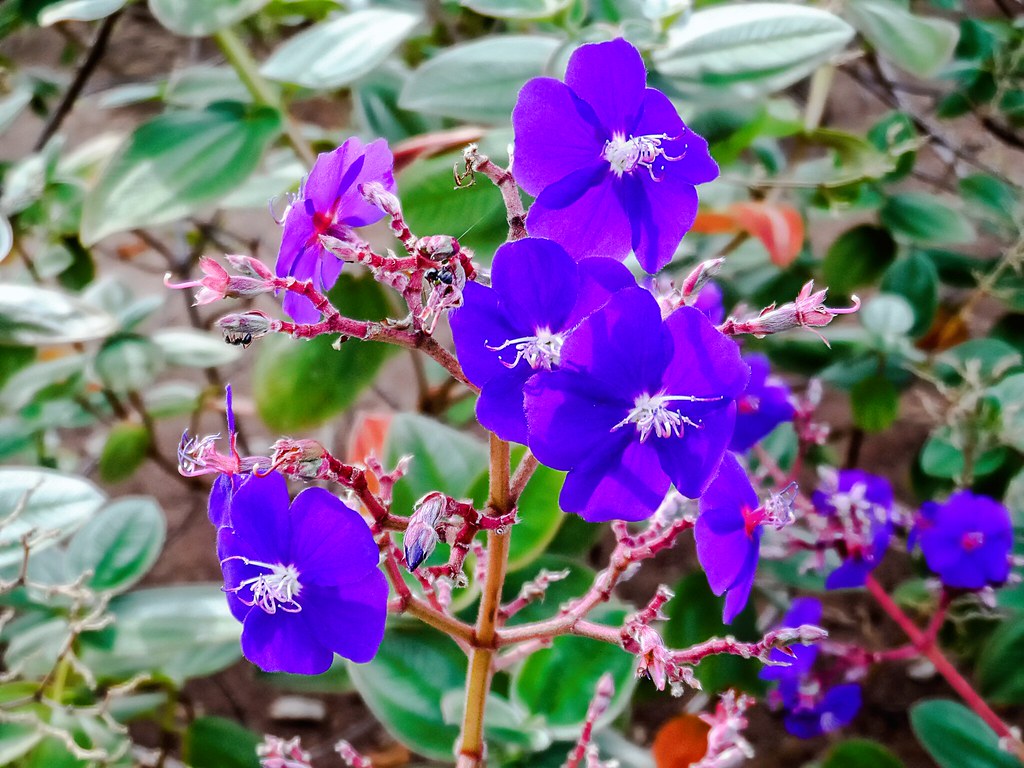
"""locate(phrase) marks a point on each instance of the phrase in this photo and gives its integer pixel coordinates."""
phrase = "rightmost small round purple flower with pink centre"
(967, 541)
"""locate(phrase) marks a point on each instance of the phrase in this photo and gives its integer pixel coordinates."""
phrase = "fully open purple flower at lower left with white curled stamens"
(303, 578)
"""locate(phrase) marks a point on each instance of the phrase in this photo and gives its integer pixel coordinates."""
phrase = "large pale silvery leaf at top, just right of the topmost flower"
(751, 50)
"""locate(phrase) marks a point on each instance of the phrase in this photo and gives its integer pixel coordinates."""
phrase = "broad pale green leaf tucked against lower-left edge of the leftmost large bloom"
(181, 632)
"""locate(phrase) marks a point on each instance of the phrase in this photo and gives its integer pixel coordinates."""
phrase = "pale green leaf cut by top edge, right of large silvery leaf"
(920, 46)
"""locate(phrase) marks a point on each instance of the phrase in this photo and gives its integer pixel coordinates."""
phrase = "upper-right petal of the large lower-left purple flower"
(331, 543)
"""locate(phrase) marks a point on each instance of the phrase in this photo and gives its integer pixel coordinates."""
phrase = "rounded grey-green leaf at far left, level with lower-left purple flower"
(119, 545)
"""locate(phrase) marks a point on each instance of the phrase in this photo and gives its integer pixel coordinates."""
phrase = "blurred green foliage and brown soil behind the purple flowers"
(875, 146)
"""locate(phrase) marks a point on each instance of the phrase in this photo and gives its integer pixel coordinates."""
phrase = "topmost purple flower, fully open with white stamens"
(612, 165)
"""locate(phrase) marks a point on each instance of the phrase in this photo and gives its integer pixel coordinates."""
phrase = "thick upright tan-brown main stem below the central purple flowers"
(479, 677)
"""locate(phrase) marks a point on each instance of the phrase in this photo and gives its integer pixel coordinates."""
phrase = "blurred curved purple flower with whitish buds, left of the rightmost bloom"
(857, 520)
